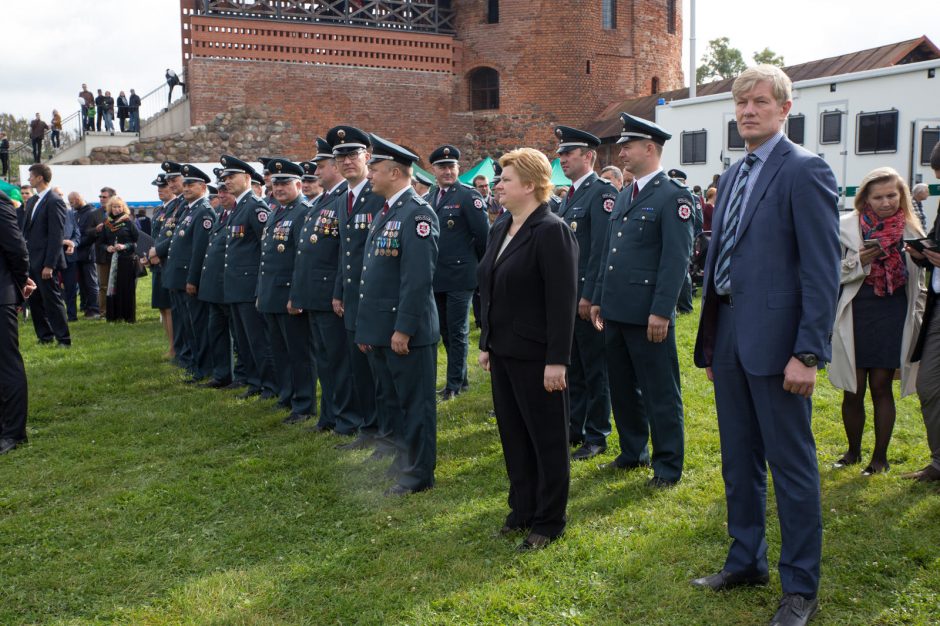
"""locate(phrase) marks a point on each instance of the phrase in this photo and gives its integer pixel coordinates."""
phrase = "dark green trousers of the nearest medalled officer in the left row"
(410, 409)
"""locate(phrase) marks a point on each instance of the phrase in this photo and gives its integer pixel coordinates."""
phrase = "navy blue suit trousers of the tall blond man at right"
(760, 424)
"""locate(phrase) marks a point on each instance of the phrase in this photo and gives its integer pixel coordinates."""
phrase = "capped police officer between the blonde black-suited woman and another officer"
(586, 209)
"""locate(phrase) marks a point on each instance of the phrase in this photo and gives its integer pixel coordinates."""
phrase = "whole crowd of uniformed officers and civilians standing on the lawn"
(347, 270)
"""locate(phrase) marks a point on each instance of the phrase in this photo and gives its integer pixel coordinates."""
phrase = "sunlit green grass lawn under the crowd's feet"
(141, 500)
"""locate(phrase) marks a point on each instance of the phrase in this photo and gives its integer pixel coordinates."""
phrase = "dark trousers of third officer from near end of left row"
(328, 337)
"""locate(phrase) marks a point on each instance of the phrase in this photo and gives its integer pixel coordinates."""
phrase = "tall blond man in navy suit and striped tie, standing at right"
(768, 306)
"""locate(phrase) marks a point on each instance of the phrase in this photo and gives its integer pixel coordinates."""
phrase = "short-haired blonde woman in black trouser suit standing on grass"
(528, 293)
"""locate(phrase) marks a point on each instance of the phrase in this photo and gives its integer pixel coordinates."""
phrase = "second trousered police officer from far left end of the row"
(184, 263)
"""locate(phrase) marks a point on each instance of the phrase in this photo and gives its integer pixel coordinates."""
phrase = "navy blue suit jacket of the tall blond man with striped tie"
(785, 265)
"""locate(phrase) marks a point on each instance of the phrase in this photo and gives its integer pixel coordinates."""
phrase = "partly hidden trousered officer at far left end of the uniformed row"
(175, 209)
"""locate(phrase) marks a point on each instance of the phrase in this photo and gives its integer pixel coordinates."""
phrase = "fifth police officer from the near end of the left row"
(240, 277)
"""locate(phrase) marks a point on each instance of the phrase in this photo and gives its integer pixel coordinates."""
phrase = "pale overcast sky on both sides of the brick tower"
(50, 47)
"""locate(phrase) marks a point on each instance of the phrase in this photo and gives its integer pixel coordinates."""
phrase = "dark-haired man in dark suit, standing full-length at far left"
(44, 231)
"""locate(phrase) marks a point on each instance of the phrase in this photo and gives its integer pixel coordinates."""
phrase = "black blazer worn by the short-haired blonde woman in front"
(529, 296)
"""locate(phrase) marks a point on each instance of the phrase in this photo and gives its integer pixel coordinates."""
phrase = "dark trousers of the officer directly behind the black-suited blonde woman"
(588, 388)
